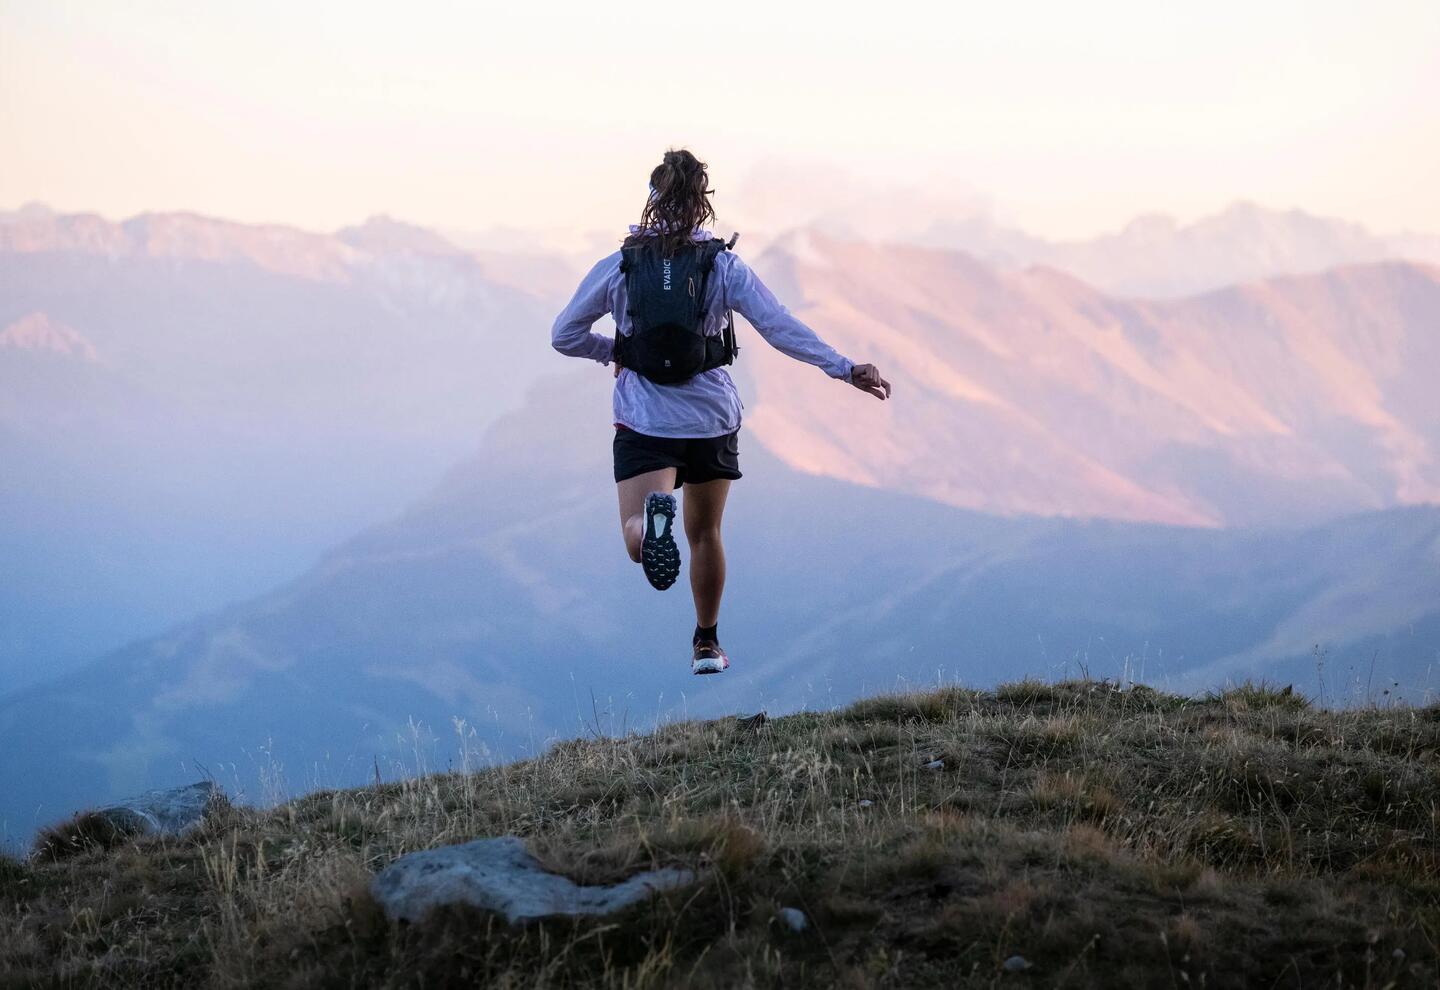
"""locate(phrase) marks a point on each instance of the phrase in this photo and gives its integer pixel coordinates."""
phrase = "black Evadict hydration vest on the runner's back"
(667, 309)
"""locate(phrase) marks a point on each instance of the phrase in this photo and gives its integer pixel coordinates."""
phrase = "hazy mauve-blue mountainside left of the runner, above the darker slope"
(192, 409)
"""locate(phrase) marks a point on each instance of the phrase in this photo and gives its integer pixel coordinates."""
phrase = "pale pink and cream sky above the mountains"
(1069, 117)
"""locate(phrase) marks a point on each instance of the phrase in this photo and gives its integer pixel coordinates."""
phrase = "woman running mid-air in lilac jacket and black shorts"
(678, 415)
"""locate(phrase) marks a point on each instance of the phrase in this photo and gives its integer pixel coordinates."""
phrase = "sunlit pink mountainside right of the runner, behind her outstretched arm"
(1277, 402)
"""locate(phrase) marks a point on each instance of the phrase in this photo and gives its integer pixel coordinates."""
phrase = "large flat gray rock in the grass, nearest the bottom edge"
(502, 876)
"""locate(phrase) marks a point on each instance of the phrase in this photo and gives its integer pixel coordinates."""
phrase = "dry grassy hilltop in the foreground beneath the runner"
(1110, 838)
